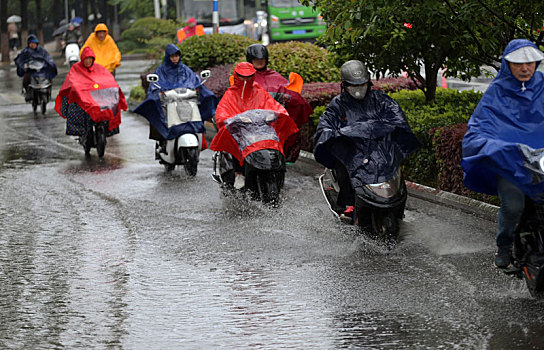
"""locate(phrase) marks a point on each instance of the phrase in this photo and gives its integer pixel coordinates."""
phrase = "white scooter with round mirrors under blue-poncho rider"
(180, 106)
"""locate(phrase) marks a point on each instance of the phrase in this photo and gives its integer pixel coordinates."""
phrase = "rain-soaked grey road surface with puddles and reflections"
(117, 253)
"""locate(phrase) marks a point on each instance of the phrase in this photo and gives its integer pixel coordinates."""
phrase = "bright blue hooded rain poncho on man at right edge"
(509, 117)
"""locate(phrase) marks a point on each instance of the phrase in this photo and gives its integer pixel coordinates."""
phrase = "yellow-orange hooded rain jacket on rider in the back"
(106, 52)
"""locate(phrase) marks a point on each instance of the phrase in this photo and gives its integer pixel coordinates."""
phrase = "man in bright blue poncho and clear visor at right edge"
(509, 114)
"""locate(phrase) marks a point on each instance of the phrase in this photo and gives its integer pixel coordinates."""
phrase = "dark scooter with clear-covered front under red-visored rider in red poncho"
(263, 170)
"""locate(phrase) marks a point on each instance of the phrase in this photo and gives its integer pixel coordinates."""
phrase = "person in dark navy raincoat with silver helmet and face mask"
(385, 121)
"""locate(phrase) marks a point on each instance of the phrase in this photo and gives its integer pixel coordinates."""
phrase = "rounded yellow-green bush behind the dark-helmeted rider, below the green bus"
(313, 63)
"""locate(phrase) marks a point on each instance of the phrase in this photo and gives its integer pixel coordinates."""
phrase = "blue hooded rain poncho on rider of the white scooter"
(173, 76)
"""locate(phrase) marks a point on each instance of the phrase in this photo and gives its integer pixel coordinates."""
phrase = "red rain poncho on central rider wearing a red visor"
(244, 96)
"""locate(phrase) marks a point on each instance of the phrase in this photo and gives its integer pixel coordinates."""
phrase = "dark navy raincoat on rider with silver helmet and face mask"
(369, 137)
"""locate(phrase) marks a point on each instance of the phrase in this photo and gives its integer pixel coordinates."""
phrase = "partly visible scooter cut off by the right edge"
(528, 252)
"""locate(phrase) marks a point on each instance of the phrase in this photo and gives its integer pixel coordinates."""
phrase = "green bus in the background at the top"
(289, 20)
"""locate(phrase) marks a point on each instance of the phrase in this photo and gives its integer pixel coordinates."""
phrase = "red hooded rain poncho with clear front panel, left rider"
(93, 89)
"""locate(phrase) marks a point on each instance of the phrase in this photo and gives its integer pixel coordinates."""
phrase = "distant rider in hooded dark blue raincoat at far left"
(32, 52)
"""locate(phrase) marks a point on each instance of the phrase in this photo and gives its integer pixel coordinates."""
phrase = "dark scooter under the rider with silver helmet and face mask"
(378, 207)
